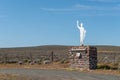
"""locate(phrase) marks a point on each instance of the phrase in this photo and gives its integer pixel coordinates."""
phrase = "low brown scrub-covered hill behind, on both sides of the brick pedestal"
(60, 51)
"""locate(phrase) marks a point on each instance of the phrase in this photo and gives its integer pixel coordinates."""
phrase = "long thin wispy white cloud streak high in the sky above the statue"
(79, 7)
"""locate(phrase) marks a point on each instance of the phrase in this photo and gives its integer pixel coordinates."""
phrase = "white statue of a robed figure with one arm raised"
(82, 32)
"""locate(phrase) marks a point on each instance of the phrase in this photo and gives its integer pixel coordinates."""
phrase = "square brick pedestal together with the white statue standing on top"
(83, 57)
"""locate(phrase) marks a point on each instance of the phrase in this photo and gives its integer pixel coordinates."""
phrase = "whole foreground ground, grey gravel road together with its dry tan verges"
(54, 71)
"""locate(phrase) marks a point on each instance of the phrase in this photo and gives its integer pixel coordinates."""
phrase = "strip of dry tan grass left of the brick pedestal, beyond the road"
(36, 66)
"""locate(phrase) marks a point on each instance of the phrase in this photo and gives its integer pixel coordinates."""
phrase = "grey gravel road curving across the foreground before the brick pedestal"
(37, 74)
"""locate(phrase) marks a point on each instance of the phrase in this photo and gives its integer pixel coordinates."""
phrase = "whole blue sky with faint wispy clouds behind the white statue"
(53, 22)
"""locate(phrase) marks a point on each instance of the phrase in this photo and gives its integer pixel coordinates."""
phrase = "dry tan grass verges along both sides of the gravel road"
(51, 66)
